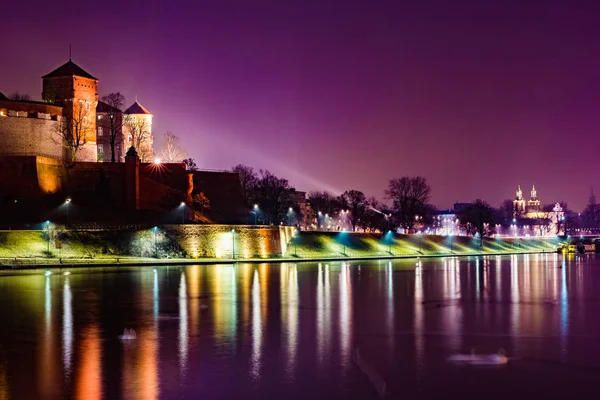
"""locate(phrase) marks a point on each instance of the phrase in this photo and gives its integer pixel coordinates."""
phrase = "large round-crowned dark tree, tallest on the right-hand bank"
(410, 197)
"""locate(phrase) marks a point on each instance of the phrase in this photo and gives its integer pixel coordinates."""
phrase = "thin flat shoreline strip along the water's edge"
(39, 263)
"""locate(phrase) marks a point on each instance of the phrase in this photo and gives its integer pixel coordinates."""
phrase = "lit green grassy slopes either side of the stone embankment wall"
(33, 244)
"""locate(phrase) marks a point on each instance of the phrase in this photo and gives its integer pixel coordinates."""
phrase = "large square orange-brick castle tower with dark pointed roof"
(76, 91)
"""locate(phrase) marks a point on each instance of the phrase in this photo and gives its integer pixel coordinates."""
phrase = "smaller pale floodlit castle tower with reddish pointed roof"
(137, 131)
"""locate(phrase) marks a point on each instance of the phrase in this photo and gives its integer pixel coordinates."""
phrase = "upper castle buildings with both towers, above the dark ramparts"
(70, 123)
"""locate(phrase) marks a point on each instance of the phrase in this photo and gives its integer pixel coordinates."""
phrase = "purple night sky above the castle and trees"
(475, 96)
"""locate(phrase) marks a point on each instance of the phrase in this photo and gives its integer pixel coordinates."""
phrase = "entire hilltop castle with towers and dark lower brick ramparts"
(51, 167)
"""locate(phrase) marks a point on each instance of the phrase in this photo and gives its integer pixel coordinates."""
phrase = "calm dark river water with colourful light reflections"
(291, 330)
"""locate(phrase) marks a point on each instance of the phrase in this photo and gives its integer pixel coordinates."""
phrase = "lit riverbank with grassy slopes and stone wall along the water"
(171, 246)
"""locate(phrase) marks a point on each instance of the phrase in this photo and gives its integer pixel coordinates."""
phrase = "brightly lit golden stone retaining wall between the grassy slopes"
(248, 241)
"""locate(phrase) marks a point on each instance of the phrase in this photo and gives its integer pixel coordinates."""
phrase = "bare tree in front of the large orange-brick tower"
(75, 129)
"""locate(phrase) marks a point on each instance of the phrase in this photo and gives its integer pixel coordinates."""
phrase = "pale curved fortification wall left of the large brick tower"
(25, 136)
